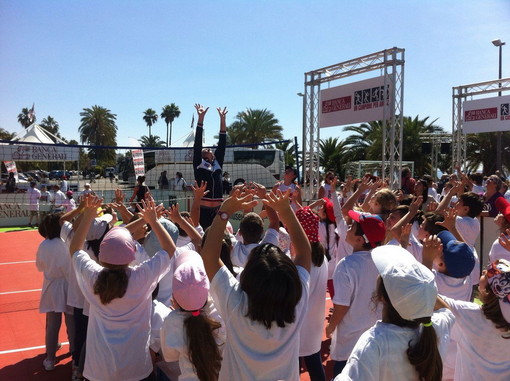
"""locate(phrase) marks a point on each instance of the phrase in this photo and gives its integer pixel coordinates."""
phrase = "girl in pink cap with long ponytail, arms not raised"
(193, 333)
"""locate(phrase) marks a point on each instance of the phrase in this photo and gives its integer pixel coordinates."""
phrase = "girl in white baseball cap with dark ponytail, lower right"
(407, 343)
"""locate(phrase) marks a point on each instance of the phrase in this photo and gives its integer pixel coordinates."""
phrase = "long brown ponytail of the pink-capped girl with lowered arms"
(203, 351)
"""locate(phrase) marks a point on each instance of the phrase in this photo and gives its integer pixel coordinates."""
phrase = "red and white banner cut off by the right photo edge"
(486, 115)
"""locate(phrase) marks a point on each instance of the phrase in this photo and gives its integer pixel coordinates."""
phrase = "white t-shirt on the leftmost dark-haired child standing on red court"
(53, 259)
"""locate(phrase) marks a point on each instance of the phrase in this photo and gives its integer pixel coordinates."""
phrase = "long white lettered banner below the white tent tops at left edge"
(21, 152)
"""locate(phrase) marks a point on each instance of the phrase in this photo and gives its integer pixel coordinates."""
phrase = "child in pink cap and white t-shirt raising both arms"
(119, 296)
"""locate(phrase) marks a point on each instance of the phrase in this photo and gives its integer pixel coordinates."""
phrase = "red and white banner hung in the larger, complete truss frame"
(356, 102)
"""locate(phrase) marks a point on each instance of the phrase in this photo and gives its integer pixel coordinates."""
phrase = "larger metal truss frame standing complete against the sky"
(391, 62)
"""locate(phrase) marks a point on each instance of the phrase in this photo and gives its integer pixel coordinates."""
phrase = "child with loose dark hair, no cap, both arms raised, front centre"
(265, 310)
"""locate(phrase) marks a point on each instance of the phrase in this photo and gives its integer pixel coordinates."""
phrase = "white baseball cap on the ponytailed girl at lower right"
(411, 286)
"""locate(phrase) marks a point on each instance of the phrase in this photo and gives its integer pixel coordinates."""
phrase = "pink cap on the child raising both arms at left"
(118, 247)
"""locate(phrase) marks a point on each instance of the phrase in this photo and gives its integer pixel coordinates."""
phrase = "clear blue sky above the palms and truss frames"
(128, 56)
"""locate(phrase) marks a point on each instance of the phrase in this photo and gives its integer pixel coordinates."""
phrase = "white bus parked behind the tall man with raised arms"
(265, 166)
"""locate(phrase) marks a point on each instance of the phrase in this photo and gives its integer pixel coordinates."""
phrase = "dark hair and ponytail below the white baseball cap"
(424, 354)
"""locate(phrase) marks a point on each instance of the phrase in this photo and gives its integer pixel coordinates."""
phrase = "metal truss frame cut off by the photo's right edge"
(460, 94)
